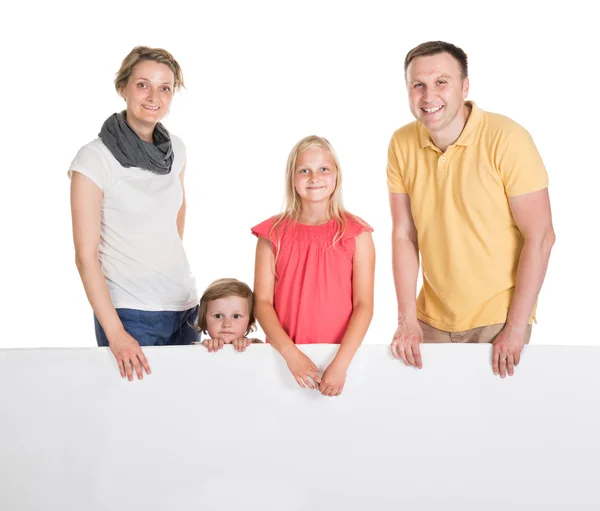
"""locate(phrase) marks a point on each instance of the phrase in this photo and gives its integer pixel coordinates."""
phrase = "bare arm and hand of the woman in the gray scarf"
(86, 211)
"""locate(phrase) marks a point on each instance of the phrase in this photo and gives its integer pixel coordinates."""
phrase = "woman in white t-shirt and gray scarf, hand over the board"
(128, 210)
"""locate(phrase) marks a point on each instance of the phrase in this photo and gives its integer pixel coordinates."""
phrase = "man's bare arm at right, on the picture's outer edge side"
(533, 217)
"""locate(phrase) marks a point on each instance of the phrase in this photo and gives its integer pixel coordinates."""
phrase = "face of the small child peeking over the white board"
(227, 318)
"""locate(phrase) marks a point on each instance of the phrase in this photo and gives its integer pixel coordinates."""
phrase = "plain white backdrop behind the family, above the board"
(259, 76)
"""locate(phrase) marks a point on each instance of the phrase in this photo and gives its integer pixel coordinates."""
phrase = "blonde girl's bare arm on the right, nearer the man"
(363, 276)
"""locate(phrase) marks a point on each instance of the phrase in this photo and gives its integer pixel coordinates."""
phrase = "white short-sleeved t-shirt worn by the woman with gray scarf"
(141, 253)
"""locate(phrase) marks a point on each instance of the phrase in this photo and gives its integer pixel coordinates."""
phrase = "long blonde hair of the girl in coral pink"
(293, 202)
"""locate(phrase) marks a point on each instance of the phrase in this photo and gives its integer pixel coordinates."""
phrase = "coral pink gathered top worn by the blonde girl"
(313, 285)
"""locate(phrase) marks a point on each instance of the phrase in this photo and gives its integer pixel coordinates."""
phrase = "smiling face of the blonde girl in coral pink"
(315, 175)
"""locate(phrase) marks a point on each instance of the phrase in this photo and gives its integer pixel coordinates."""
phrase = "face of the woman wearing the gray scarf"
(148, 94)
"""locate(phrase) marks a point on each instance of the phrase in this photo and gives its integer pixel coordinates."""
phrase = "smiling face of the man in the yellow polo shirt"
(436, 91)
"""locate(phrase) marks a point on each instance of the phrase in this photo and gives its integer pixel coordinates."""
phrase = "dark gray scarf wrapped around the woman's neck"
(131, 151)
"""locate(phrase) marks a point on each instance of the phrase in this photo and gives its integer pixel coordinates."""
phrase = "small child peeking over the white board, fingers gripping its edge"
(226, 314)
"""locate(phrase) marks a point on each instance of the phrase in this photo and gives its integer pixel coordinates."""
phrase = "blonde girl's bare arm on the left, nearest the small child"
(299, 364)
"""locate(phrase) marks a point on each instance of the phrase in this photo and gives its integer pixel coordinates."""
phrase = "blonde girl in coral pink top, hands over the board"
(314, 271)
